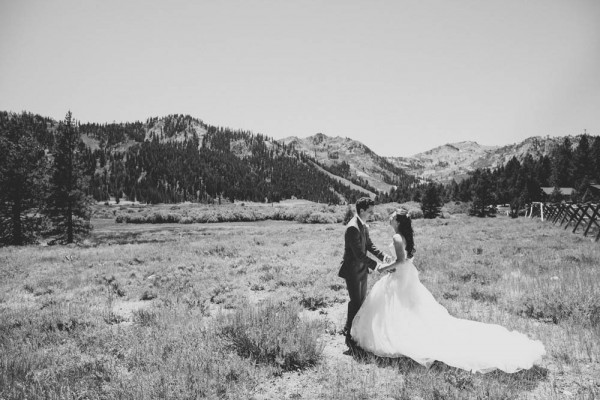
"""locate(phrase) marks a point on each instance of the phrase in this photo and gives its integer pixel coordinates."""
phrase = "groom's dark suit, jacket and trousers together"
(355, 265)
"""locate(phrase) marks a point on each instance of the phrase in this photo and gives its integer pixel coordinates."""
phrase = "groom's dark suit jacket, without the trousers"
(355, 263)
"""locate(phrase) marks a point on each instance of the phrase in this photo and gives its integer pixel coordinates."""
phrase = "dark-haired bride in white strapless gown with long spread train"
(400, 317)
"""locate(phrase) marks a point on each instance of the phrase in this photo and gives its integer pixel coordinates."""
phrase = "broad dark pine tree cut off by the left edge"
(22, 176)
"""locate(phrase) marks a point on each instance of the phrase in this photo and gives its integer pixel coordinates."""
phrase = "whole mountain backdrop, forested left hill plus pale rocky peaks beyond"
(181, 158)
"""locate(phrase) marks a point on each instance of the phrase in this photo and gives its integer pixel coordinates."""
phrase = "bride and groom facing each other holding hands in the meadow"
(401, 318)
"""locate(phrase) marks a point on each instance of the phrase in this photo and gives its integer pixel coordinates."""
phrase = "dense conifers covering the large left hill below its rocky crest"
(208, 170)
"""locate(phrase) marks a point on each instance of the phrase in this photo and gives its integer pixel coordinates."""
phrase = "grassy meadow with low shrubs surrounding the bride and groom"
(253, 310)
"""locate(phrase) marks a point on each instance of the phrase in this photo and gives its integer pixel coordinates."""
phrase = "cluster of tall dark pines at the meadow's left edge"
(42, 179)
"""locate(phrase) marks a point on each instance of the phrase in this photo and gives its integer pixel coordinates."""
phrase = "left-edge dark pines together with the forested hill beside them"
(49, 177)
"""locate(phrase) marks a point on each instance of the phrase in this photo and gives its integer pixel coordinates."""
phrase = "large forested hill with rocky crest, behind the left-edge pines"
(179, 158)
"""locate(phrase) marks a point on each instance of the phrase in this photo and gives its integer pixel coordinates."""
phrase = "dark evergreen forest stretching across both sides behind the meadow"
(179, 158)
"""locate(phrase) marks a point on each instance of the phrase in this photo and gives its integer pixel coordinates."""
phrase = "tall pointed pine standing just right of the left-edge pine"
(68, 206)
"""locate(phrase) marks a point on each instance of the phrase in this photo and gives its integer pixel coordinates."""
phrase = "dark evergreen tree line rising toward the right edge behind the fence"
(571, 164)
